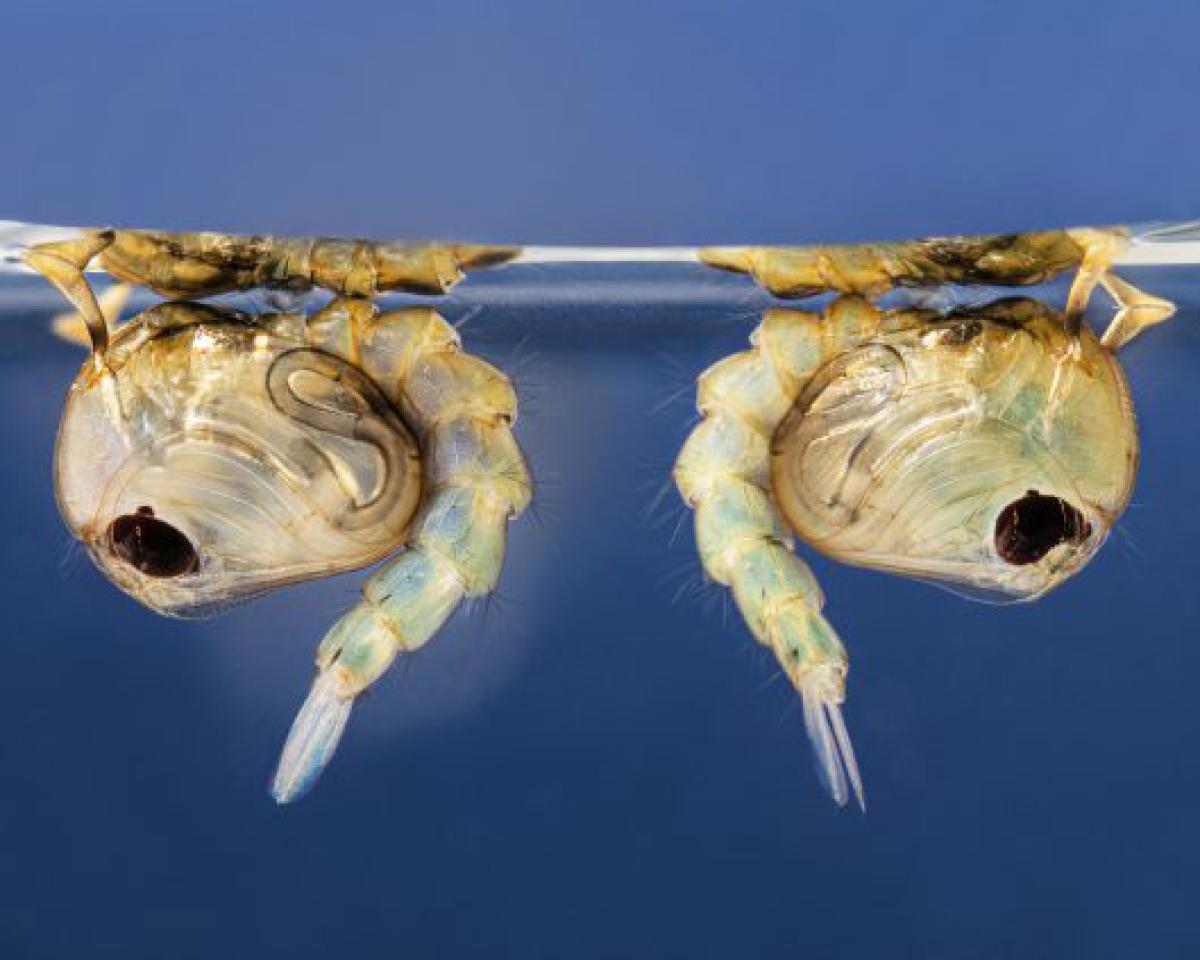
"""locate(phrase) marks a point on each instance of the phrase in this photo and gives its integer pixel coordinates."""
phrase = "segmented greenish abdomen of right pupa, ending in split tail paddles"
(723, 473)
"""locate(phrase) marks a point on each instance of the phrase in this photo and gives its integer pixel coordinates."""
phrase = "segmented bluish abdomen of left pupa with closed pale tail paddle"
(477, 481)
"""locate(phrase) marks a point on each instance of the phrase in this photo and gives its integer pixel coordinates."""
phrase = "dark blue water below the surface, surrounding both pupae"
(603, 764)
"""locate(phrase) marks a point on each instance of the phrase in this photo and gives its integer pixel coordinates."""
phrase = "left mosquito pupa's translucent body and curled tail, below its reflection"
(287, 447)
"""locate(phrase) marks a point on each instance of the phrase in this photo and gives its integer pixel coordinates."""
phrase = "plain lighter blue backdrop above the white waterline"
(626, 122)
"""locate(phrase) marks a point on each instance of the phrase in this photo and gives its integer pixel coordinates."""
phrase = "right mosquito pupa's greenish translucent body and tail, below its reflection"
(897, 441)
